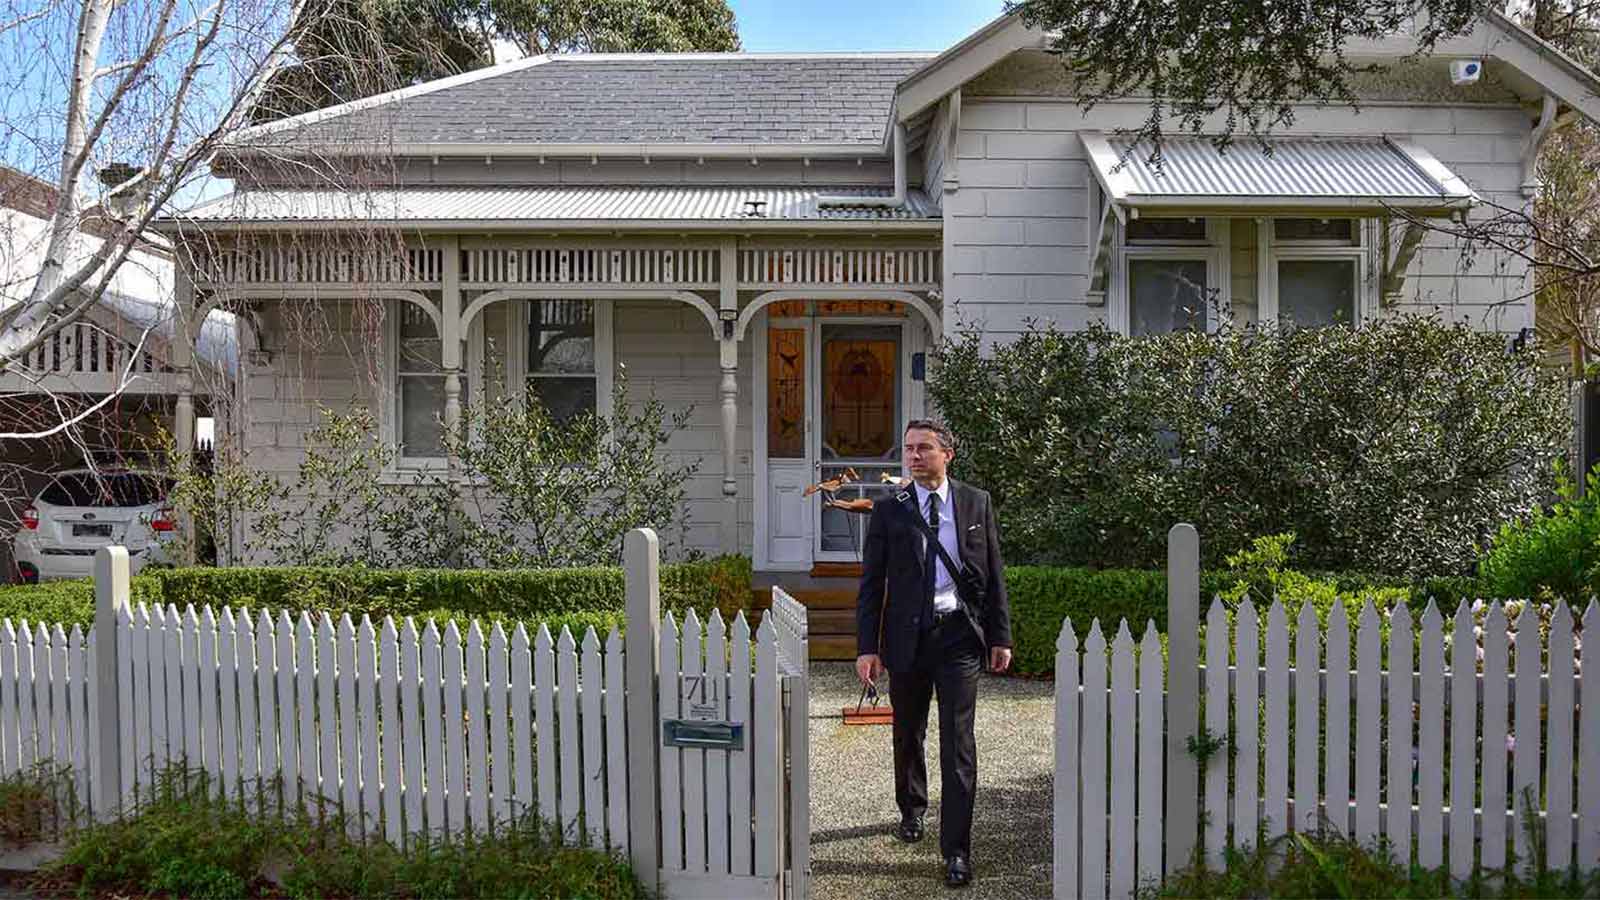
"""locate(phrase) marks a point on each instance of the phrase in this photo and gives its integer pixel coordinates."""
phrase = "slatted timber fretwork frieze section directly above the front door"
(780, 268)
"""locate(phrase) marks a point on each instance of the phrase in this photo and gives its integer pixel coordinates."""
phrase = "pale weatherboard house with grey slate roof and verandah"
(782, 239)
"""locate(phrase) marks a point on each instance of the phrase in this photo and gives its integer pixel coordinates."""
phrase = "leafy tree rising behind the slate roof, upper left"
(351, 49)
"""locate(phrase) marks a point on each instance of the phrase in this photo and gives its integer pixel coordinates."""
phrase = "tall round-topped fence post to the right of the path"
(1183, 693)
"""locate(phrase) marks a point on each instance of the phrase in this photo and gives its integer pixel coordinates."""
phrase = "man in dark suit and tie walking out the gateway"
(934, 630)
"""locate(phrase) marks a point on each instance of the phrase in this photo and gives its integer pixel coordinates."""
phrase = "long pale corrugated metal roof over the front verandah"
(550, 206)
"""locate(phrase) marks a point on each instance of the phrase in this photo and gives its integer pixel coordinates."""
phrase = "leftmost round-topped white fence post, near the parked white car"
(113, 589)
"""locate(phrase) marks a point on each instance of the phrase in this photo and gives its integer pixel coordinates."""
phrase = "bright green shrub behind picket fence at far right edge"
(1550, 553)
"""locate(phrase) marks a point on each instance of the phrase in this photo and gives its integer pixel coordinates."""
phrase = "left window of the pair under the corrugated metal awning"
(1169, 273)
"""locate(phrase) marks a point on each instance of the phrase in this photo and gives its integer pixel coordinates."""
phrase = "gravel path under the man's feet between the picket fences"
(854, 816)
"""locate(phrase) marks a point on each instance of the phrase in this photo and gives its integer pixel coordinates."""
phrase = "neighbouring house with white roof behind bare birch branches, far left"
(111, 374)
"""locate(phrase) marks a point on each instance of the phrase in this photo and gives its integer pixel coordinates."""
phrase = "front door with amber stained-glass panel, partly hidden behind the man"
(862, 401)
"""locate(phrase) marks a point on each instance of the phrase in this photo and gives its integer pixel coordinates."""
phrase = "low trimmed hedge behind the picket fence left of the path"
(554, 597)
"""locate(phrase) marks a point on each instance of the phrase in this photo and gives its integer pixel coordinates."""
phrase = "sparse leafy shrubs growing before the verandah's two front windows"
(535, 492)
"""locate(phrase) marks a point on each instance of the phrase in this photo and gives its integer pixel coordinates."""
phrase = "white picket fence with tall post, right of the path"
(1490, 745)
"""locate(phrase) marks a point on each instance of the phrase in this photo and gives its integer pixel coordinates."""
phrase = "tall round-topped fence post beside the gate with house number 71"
(642, 656)
